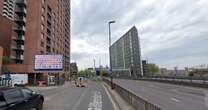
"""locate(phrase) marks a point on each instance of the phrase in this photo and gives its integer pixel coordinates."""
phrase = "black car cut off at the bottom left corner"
(16, 98)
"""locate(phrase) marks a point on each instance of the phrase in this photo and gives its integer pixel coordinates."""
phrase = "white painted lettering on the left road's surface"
(96, 104)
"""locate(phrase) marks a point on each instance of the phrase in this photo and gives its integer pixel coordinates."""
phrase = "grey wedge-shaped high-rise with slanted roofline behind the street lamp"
(126, 56)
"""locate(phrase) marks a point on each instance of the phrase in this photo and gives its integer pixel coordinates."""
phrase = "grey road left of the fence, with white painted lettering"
(69, 97)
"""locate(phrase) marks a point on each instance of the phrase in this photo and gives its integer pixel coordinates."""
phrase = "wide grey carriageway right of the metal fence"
(168, 96)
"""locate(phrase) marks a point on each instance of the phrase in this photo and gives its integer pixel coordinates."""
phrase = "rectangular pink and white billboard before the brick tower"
(48, 63)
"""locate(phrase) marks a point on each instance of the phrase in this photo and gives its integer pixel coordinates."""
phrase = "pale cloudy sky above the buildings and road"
(173, 33)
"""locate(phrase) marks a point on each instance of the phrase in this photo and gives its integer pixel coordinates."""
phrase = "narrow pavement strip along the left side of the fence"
(120, 102)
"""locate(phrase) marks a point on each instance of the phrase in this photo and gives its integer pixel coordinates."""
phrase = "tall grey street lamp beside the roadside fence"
(109, 23)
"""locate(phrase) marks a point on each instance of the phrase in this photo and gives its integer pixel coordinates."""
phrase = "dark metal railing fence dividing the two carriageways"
(137, 102)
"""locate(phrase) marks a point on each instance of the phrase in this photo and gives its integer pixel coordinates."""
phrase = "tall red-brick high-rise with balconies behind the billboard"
(40, 27)
